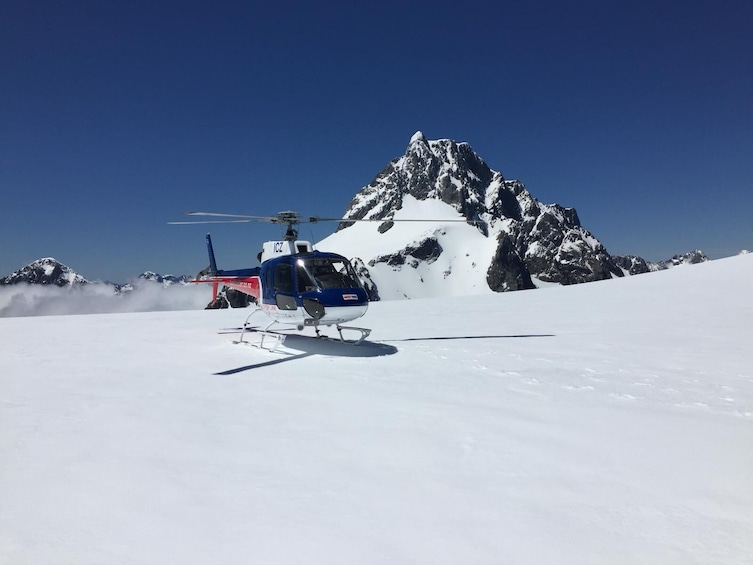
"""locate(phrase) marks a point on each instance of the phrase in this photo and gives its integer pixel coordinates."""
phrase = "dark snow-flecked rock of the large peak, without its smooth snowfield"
(532, 240)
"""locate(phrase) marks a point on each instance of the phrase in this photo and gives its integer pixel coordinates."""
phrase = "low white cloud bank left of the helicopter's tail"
(146, 296)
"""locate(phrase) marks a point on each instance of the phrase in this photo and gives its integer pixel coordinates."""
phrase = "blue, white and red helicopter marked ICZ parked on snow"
(295, 285)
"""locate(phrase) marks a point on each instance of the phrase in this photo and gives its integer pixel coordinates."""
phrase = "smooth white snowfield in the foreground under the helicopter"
(609, 422)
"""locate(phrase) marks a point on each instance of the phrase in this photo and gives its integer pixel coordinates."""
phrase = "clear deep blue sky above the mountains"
(116, 116)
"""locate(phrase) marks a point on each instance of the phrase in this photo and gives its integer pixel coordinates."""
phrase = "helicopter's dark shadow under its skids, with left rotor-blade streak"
(297, 347)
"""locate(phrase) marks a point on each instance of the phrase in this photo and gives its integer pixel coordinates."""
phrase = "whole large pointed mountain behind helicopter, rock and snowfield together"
(510, 240)
